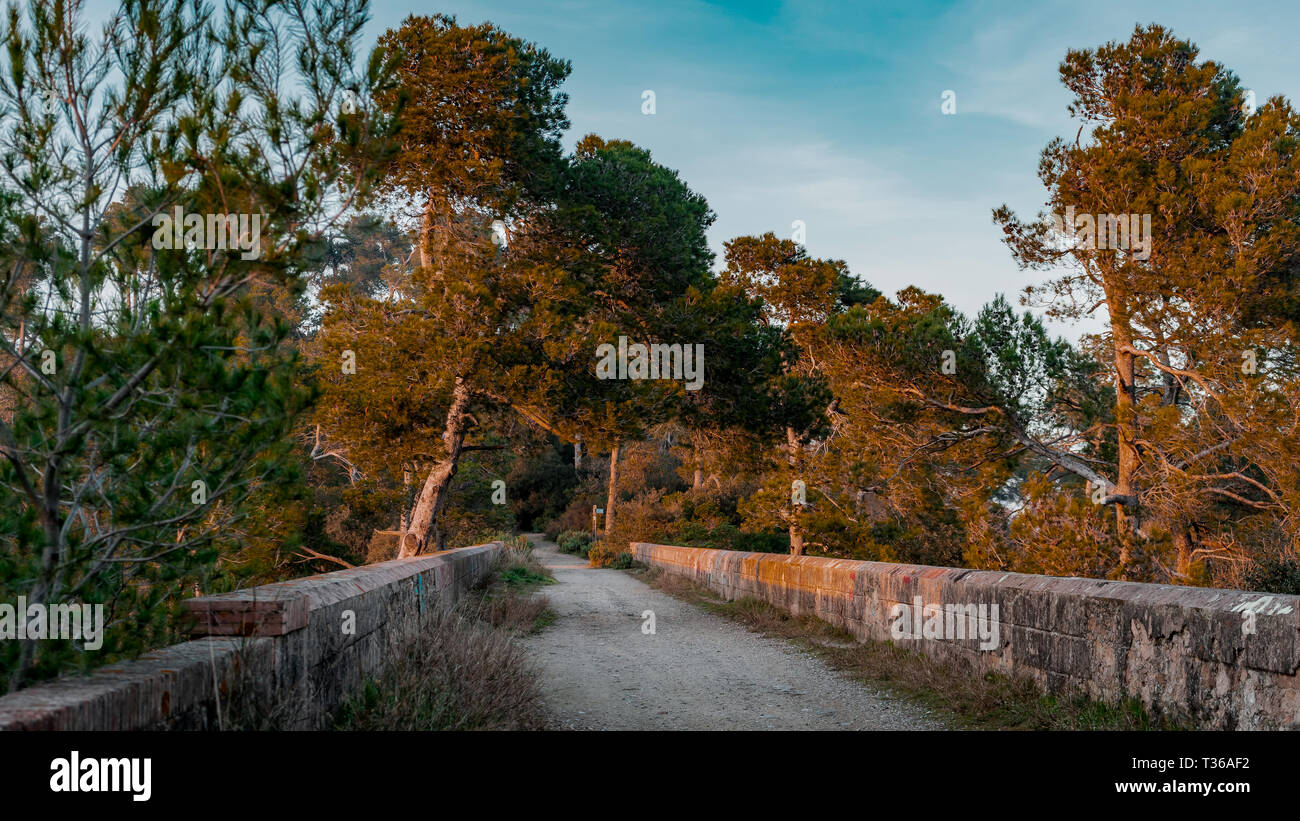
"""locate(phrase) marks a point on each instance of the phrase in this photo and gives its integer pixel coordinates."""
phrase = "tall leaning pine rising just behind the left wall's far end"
(482, 124)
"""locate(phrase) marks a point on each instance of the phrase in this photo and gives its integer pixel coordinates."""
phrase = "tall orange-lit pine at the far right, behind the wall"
(1211, 286)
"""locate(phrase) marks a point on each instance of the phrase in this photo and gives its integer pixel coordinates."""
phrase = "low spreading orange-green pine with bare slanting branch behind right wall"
(942, 419)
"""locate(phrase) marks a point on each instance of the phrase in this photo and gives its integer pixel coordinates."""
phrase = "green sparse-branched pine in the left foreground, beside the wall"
(146, 396)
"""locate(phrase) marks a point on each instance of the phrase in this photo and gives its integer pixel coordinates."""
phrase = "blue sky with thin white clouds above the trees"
(830, 114)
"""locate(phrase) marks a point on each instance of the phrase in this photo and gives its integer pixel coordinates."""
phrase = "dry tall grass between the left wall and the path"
(467, 671)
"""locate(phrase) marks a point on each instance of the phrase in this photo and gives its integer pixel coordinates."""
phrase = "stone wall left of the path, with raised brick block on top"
(281, 653)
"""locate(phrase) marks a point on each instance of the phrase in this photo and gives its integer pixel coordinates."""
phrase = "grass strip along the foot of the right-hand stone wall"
(957, 697)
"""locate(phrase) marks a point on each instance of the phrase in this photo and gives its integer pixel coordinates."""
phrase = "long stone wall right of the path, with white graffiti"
(1220, 659)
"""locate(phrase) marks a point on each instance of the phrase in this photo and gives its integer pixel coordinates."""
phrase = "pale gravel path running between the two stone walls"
(696, 672)
